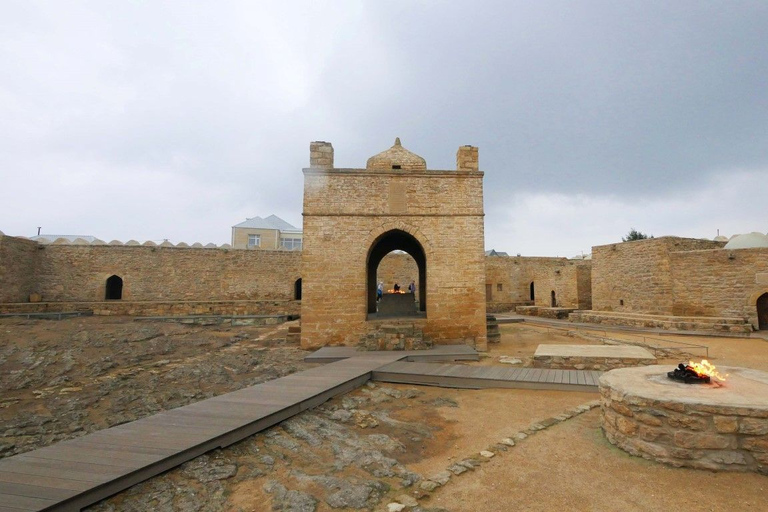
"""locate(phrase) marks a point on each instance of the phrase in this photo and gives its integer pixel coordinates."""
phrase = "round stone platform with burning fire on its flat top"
(708, 426)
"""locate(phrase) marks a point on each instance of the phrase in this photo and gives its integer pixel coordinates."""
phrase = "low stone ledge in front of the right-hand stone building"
(730, 326)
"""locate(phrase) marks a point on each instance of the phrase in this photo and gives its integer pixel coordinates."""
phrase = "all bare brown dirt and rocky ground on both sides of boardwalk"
(361, 451)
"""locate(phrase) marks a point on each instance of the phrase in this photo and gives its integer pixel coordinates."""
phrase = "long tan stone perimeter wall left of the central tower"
(78, 274)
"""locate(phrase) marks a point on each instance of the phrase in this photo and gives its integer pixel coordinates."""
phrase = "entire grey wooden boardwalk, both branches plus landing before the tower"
(74, 474)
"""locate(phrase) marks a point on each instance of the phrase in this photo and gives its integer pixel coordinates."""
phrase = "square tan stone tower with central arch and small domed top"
(355, 217)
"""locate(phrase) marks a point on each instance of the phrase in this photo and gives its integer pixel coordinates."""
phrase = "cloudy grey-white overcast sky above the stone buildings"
(154, 120)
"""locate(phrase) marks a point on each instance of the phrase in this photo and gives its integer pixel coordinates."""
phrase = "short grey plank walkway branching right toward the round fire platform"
(478, 377)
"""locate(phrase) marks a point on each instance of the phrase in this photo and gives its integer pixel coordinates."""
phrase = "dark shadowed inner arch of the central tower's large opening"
(395, 240)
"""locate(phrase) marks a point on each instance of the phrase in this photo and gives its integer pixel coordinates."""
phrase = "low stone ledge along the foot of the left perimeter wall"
(161, 308)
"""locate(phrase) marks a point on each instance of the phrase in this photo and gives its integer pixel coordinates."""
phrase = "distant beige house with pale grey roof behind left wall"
(271, 233)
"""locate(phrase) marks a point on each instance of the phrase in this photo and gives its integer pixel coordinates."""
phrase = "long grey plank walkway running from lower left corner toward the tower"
(73, 474)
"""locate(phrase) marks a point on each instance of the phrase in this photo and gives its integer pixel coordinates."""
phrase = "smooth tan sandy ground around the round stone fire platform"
(571, 466)
